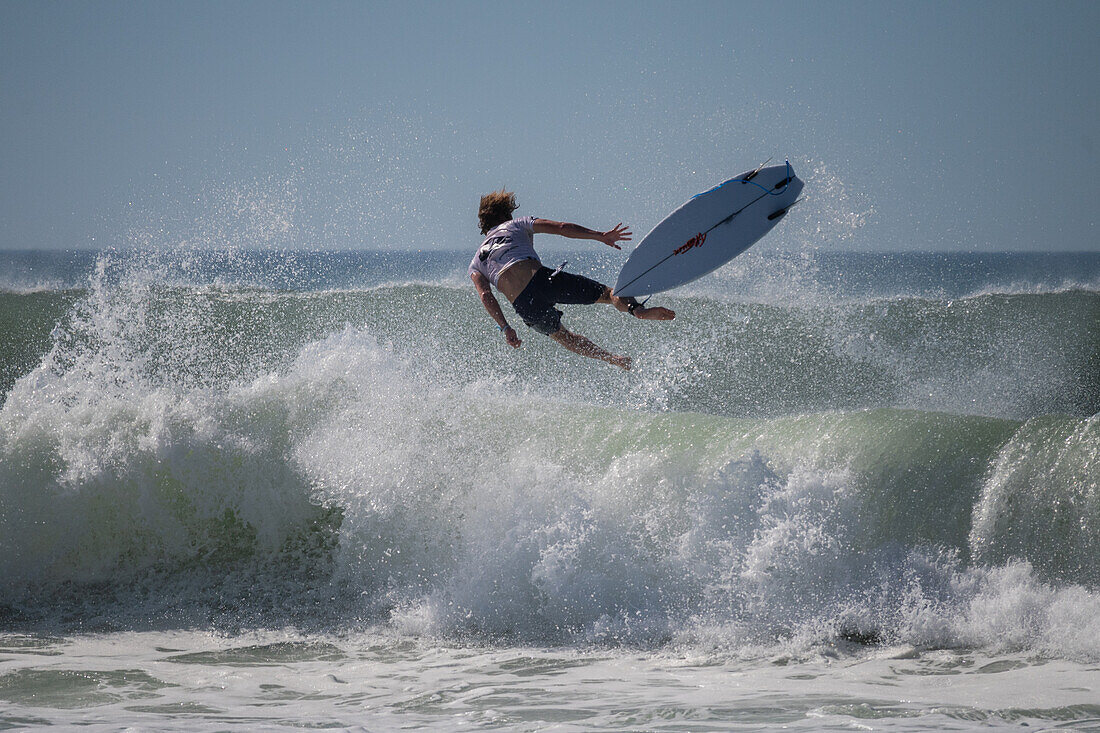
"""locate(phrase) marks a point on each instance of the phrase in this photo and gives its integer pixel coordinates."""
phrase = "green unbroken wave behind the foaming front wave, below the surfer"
(998, 355)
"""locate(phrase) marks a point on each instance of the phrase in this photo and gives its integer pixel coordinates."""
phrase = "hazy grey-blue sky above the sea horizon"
(353, 125)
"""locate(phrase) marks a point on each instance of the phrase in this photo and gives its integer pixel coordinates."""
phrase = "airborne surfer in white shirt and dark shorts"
(508, 260)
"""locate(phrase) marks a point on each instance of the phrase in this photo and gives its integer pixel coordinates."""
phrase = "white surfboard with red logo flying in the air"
(709, 231)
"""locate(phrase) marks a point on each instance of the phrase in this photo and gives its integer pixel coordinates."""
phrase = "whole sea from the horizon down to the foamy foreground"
(281, 490)
